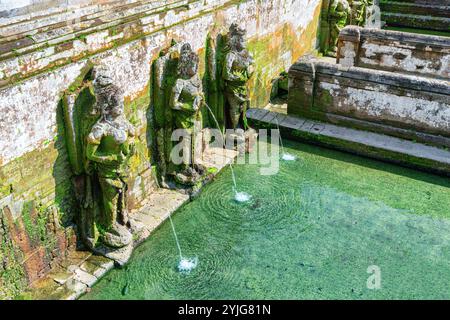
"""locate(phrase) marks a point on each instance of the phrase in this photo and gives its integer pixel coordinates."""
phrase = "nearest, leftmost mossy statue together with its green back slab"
(100, 141)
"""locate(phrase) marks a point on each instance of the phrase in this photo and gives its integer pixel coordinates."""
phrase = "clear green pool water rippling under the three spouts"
(309, 232)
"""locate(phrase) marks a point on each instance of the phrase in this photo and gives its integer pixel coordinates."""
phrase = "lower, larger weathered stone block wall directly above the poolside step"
(415, 108)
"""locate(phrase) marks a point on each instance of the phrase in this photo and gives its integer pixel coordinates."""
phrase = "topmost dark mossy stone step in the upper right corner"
(415, 9)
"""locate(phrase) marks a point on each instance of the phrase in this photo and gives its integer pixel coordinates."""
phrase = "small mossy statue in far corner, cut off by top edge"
(338, 15)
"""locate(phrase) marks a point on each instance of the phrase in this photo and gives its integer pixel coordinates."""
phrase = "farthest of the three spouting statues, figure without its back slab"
(238, 68)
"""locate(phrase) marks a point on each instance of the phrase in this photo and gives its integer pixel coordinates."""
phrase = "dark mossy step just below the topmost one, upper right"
(416, 21)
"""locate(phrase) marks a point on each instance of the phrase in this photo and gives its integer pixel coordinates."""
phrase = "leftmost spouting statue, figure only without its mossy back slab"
(109, 145)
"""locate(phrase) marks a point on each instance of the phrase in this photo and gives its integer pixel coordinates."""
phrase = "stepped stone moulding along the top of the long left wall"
(27, 55)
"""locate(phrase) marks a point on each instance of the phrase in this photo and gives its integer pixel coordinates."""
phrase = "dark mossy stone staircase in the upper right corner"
(417, 14)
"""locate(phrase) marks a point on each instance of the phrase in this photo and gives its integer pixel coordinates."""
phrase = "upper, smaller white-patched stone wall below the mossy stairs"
(394, 51)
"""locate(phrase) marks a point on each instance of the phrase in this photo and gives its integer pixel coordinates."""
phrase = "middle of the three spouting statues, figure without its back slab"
(186, 101)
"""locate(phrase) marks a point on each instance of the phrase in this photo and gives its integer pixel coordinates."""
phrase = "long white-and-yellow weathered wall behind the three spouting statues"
(40, 58)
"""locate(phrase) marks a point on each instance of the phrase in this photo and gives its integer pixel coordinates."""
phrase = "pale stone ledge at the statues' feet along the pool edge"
(75, 275)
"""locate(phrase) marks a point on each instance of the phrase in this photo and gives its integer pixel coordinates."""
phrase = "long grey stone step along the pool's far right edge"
(364, 143)
